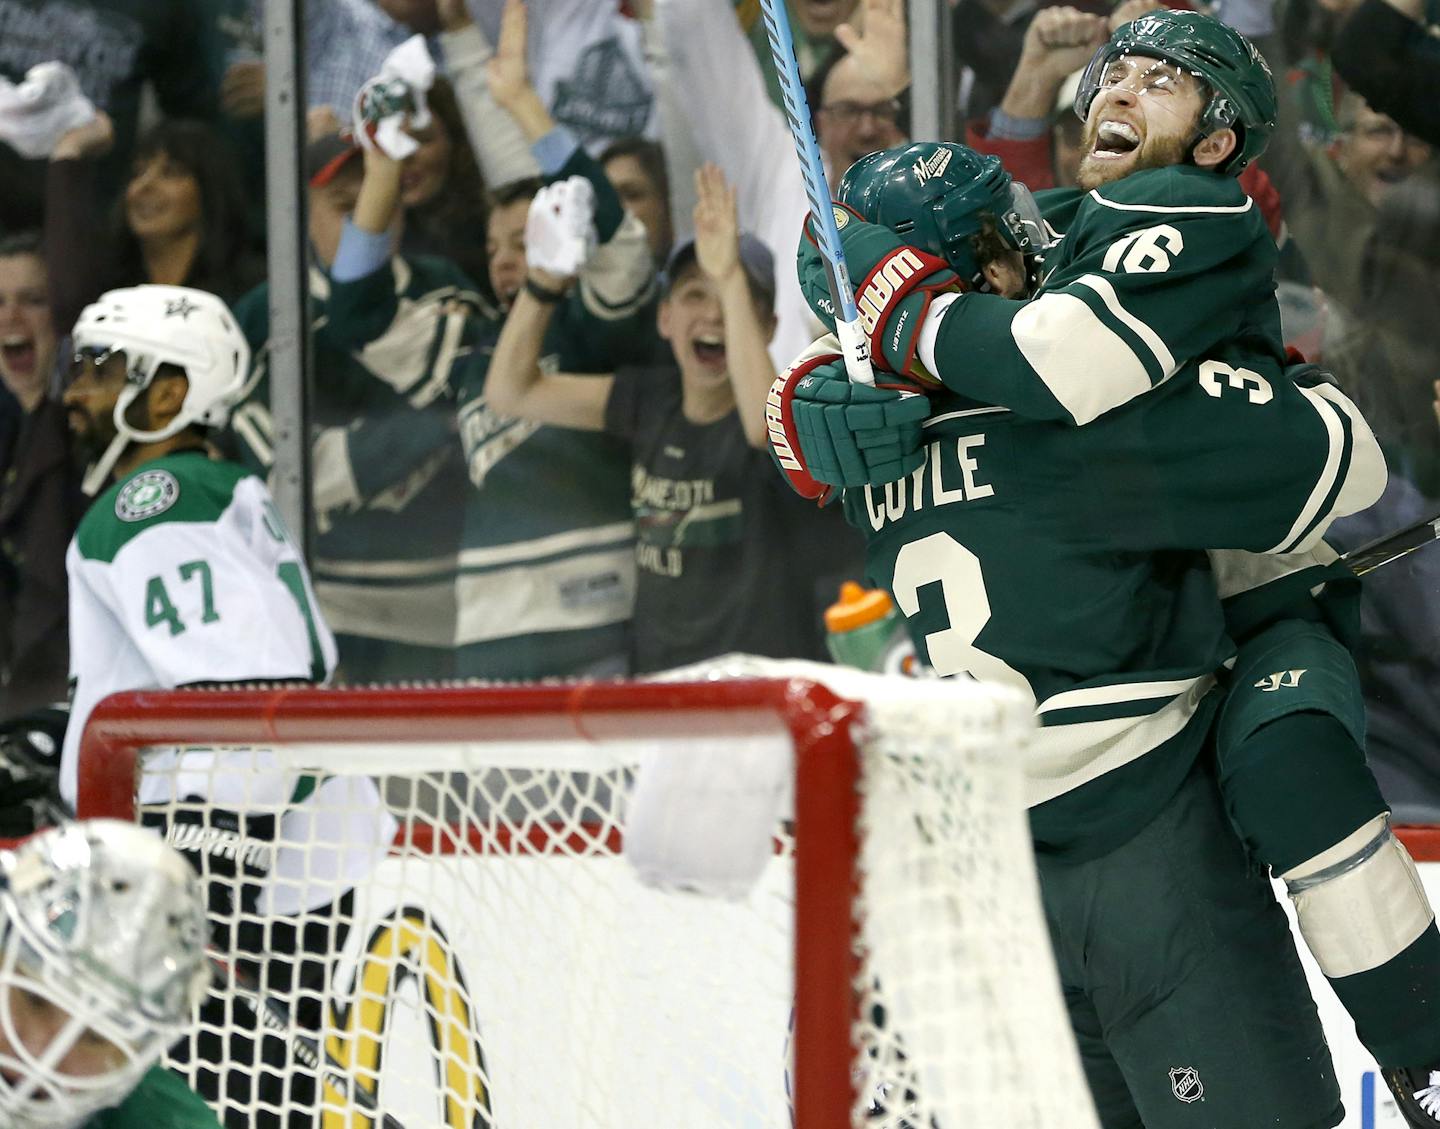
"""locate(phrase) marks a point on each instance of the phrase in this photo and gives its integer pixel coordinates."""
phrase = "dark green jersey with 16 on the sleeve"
(1154, 271)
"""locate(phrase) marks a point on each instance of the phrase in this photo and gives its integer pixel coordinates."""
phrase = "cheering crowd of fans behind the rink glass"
(459, 541)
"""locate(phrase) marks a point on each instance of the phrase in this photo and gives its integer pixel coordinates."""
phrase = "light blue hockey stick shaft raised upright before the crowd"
(855, 343)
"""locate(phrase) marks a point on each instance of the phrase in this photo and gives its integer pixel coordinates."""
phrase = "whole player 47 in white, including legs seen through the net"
(182, 574)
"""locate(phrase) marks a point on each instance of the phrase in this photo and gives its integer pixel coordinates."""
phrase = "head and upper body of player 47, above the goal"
(181, 571)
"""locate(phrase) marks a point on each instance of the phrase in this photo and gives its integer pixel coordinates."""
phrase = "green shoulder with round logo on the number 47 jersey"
(182, 487)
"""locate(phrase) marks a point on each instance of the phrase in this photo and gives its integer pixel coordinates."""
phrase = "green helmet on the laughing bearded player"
(1242, 91)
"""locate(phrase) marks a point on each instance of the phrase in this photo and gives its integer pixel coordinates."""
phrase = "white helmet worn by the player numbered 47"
(156, 326)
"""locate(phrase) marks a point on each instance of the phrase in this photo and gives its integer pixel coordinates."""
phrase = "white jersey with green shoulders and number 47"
(185, 574)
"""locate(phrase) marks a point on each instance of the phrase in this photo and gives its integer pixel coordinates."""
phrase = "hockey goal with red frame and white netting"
(866, 1052)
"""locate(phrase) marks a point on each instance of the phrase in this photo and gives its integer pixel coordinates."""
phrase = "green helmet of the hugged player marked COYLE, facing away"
(937, 195)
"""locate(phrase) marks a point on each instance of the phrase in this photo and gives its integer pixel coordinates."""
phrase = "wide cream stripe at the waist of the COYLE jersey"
(1062, 758)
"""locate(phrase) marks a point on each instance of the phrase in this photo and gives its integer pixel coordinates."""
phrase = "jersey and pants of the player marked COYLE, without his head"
(1069, 562)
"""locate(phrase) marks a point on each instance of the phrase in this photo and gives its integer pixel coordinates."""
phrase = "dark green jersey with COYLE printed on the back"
(1071, 562)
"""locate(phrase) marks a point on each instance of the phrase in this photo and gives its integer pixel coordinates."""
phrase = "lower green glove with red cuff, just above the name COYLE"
(829, 433)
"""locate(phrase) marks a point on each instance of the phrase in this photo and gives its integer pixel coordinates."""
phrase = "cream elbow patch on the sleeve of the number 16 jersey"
(1085, 365)
